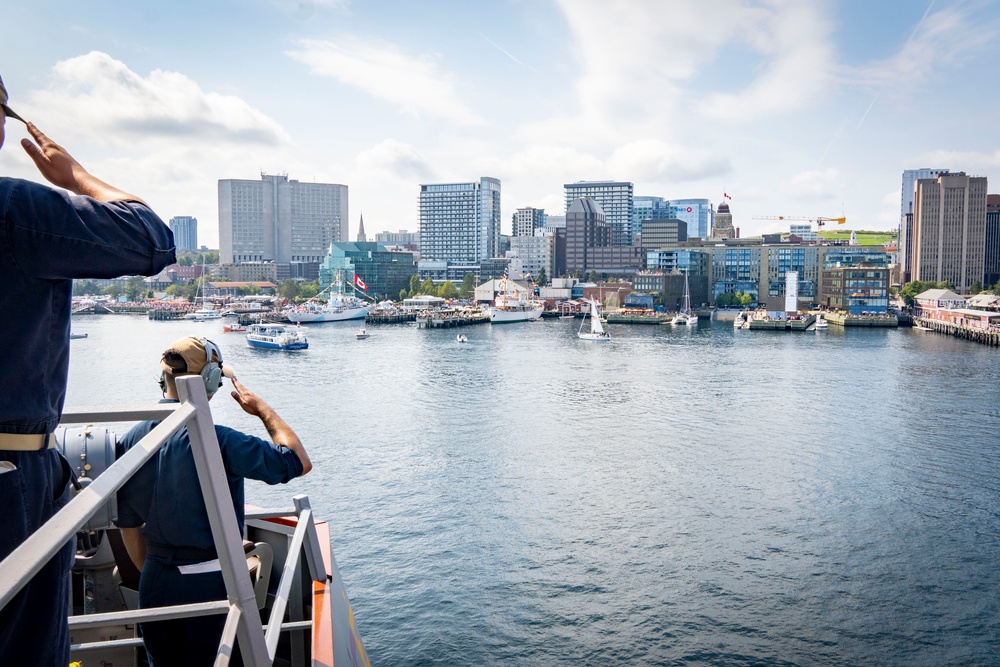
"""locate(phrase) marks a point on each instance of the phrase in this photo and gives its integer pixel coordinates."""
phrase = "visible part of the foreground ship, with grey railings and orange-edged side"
(285, 599)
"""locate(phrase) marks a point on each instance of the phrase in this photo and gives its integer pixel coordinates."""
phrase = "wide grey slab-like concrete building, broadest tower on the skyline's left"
(280, 220)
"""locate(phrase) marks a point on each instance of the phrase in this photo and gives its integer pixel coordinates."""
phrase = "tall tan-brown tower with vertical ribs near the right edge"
(949, 229)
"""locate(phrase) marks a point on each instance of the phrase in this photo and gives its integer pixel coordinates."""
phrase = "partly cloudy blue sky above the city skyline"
(791, 108)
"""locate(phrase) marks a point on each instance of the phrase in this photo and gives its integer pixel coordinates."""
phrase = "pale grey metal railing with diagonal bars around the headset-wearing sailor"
(243, 618)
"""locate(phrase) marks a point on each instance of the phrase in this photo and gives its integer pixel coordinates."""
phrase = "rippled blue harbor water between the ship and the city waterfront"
(669, 497)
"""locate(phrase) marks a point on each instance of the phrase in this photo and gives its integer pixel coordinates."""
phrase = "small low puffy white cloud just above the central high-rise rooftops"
(659, 162)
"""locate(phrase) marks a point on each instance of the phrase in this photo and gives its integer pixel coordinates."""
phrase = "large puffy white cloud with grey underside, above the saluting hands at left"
(96, 95)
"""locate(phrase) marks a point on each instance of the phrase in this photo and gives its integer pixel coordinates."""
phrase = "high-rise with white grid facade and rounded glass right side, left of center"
(460, 222)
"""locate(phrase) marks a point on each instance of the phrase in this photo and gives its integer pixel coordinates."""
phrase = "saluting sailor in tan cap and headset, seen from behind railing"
(161, 512)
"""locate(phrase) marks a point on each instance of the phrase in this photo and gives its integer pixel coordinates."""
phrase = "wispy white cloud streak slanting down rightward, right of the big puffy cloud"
(385, 72)
